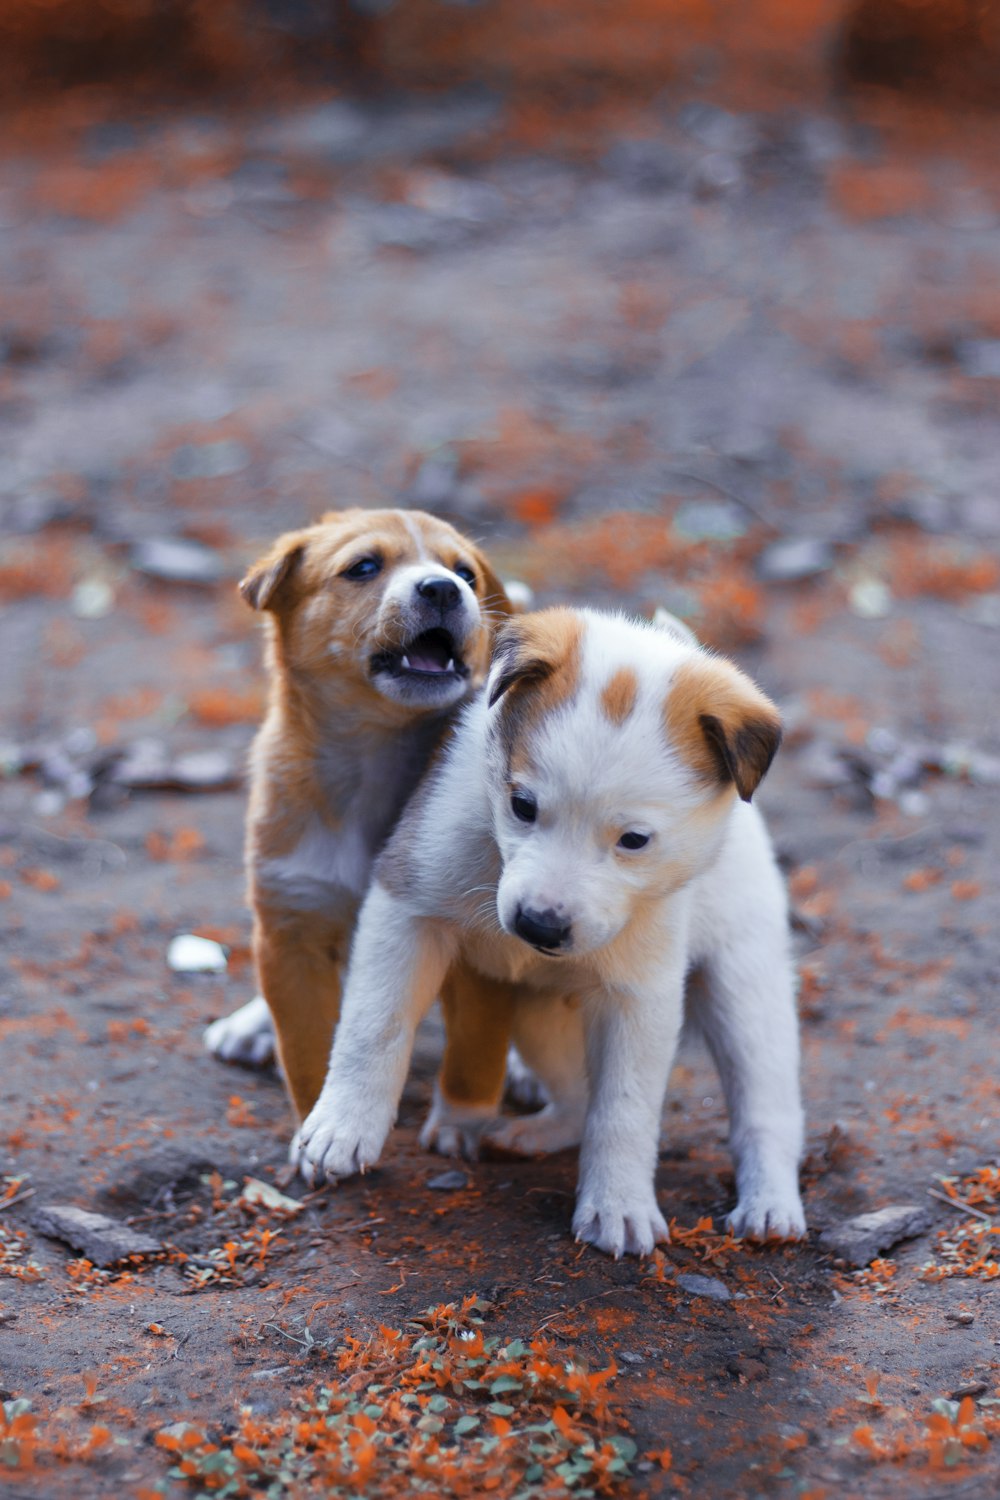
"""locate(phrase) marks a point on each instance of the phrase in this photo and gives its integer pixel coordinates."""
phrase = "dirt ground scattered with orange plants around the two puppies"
(738, 362)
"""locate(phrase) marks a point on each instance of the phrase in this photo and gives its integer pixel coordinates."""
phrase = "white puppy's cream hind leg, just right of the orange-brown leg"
(549, 1039)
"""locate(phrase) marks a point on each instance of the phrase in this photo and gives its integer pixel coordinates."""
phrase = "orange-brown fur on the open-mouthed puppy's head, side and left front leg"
(311, 605)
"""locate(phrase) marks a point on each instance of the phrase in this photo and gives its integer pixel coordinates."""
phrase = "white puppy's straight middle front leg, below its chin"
(632, 1037)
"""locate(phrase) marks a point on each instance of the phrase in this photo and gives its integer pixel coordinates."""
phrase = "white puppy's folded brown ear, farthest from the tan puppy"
(722, 724)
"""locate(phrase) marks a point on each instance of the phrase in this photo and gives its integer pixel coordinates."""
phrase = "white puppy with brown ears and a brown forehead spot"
(588, 838)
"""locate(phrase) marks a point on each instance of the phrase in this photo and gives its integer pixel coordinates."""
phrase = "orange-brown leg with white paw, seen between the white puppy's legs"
(478, 1018)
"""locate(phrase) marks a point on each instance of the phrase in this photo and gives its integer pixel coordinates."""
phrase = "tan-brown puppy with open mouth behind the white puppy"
(380, 625)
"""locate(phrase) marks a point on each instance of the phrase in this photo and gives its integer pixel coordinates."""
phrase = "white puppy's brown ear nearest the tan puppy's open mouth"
(537, 664)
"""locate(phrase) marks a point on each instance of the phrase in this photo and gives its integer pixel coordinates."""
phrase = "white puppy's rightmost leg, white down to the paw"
(744, 1006)
